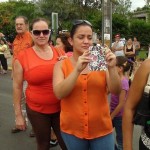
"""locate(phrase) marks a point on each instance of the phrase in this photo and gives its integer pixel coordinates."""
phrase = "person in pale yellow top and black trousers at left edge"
(3, 60)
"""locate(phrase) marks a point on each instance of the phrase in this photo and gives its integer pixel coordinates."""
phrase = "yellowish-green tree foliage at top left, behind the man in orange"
(10, 10)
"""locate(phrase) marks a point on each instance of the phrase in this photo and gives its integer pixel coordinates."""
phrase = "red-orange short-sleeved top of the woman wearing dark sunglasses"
(39, 75)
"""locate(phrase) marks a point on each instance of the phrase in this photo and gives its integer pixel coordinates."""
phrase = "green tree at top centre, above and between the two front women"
(68, 10)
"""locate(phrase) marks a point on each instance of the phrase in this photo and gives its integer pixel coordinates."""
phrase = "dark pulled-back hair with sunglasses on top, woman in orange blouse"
(76, 24)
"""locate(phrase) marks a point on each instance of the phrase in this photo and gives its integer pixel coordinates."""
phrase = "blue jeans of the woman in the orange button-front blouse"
(74, 143)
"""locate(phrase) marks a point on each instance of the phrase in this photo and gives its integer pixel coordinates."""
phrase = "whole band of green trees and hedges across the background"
(68, 10)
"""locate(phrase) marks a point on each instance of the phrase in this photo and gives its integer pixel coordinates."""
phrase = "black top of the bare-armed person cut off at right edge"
(142, 113)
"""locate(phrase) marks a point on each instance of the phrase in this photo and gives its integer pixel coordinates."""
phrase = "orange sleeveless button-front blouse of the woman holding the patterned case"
(85, 111)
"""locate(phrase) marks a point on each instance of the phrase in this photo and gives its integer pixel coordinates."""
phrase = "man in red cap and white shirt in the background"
(118, 46)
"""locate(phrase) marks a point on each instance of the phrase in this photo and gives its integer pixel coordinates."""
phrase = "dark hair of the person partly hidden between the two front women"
(64, 38)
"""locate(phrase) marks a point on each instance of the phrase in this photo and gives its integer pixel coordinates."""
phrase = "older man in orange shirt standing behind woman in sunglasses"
(22, 41)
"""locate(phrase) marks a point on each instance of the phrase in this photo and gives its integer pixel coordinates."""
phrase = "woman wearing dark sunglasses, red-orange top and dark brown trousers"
(35, 65)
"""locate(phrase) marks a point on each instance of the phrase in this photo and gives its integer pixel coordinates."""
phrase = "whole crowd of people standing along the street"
(64, 101)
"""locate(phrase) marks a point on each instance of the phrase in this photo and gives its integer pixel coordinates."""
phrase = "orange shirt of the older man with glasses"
(22, 42)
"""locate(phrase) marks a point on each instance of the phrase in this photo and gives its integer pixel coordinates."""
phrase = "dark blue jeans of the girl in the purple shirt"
(117, 124)
